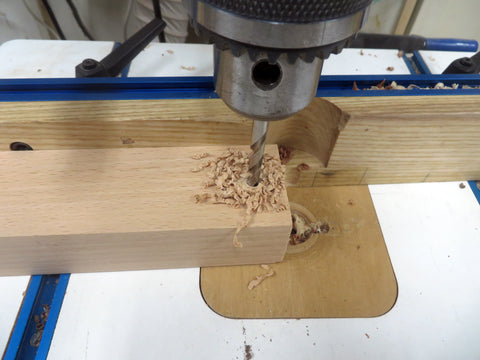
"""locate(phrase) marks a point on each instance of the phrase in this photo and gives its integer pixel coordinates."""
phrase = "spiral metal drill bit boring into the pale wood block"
(259, 134)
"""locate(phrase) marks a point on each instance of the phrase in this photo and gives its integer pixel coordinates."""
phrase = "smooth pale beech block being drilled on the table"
(69, 211)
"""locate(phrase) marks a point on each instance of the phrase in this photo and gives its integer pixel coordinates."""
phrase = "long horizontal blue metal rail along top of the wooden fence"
(202, 87)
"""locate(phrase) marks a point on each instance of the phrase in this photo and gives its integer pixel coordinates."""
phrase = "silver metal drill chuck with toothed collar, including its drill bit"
(269, 54)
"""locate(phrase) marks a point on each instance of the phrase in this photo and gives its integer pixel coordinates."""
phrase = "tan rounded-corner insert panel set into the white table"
(344, 273)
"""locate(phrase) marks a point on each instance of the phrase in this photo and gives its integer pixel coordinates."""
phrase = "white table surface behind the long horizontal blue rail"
(50, 59)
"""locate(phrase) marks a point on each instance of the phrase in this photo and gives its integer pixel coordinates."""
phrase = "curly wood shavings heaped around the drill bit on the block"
(227, 184)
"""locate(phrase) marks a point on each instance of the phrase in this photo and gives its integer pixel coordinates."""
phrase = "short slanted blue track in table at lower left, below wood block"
(33, 331)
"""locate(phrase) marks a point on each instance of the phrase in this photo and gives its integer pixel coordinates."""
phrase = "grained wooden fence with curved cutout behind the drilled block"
(345, 141)
